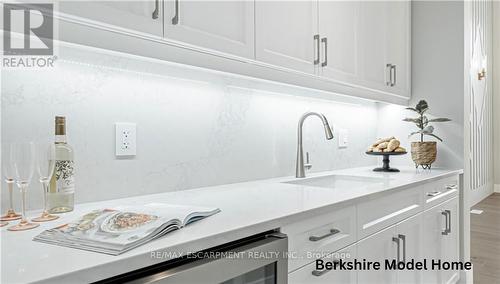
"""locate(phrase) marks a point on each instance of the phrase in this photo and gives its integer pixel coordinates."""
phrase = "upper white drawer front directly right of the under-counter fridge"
(318, 236)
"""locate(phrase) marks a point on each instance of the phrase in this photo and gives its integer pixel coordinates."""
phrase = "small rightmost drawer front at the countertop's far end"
(440, 191)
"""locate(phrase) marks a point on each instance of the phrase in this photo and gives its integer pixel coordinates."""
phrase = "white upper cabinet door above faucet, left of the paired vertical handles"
(285, 33)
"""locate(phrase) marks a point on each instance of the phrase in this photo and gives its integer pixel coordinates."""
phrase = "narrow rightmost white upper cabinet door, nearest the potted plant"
(398, 40)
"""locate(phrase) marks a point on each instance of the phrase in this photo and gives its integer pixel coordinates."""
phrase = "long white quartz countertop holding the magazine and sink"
(246, 208)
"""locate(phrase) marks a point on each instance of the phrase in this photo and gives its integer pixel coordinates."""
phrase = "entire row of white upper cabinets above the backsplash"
(358, 48)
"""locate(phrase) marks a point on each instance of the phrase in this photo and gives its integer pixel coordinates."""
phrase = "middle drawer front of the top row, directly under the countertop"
(374, 215)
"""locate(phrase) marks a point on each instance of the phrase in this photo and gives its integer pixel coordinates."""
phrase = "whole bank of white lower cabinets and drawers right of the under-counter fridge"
(428, 233)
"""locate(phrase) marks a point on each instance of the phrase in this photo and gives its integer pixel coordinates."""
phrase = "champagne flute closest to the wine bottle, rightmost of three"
(45, 163)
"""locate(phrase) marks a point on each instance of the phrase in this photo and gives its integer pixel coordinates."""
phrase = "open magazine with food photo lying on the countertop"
(114, 231)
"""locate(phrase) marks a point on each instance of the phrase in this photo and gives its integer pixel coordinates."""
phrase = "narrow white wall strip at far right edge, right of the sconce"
(496, 90)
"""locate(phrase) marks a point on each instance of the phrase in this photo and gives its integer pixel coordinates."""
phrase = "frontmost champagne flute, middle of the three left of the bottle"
(23, 161)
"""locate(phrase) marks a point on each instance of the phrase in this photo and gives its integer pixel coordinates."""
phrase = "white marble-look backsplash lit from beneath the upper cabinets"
(194, 128)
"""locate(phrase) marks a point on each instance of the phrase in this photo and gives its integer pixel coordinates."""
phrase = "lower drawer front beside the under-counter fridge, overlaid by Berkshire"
(309, 274)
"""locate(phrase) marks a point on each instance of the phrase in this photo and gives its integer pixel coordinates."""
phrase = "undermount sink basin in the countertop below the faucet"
(338, 181)
